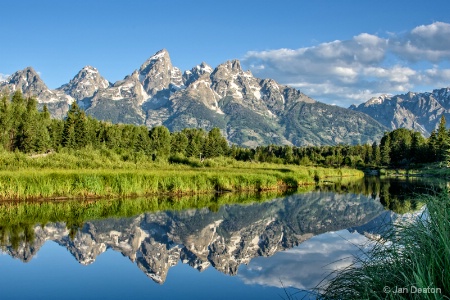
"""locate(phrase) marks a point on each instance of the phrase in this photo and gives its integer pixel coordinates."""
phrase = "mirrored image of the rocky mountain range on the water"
(225, 239)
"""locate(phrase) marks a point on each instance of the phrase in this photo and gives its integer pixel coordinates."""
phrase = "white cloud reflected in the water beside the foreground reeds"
(306, 265)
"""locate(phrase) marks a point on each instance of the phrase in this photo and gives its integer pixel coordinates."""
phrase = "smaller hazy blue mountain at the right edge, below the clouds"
(417, 111)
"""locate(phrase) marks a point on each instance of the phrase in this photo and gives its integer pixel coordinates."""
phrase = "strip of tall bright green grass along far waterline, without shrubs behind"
(51, 183)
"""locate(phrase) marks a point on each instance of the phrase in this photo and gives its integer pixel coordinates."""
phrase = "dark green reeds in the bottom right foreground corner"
(414, 264)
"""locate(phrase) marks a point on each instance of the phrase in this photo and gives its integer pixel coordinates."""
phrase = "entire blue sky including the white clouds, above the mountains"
(338, 52)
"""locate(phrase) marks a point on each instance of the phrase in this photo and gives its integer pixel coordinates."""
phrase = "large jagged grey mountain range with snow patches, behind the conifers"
(248, 110)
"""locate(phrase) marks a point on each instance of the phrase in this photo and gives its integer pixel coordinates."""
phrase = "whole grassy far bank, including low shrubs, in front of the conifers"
(90, 173)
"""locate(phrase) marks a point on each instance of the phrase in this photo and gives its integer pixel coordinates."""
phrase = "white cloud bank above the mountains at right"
(352, 71)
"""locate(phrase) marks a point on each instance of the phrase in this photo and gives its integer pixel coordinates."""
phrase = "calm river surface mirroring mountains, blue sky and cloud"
(242, 251)
